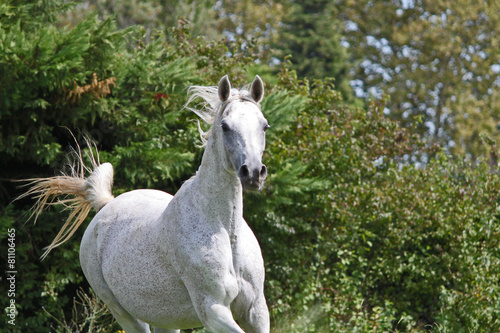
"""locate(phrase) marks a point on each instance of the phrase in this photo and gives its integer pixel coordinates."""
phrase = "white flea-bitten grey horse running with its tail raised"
(183, 261)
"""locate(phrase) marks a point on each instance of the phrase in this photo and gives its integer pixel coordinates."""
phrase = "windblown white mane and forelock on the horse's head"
(212, 106)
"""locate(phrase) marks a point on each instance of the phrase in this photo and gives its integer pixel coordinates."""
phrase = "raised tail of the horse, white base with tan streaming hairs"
(80, 195)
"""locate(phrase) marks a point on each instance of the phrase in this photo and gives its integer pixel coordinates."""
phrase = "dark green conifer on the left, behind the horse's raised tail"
(91, 79)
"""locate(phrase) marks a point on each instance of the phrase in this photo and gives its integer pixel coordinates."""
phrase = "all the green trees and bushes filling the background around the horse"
(356, 236)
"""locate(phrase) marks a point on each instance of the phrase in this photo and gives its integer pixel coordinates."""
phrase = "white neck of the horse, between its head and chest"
(219, 191)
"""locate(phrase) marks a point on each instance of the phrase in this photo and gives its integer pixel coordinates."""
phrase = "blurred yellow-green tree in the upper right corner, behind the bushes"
(420, 53)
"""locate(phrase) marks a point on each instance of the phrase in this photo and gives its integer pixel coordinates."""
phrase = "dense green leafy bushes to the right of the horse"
(356, 241)
